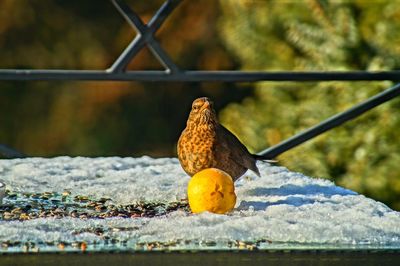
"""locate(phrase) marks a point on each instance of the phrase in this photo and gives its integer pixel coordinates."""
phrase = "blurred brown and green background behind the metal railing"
(132, 119)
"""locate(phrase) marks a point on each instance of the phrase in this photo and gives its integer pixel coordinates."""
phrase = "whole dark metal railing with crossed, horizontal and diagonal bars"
(145, 37)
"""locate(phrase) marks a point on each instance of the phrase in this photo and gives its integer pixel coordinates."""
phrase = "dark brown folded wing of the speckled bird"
(231, 146)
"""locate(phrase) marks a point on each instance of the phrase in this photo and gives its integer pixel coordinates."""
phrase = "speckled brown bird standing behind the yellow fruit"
(205, 143)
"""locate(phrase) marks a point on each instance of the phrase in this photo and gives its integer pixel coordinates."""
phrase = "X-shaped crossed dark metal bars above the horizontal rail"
(145, 36)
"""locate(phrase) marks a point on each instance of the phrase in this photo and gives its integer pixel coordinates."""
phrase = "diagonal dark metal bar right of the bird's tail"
(332, 122)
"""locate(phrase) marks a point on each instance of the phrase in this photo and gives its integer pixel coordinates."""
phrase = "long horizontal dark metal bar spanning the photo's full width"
(194, 76)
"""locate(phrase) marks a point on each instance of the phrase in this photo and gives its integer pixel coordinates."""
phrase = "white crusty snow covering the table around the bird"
(280, 209)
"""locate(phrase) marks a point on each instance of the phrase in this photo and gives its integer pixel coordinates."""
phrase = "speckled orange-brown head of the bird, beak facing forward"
(202, 112)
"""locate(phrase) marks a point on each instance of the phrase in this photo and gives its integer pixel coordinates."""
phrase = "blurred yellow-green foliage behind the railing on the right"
(364, 154)
